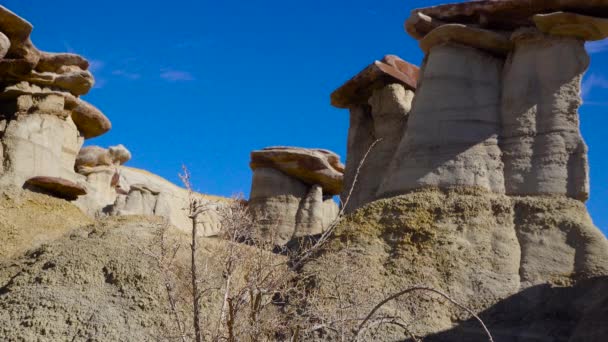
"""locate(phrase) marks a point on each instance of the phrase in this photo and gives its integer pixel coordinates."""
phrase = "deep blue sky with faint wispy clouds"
(205, 82)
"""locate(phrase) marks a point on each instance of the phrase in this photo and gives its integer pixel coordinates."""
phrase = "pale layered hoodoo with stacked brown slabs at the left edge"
(43, 122)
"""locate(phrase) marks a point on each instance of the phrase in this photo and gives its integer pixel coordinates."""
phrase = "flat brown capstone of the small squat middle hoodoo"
(311, 166)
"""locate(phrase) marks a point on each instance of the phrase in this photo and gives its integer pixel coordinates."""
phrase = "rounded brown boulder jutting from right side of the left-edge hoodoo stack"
(90, 121)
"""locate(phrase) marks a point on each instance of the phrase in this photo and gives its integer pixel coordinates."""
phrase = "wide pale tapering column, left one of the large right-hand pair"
(452, 131)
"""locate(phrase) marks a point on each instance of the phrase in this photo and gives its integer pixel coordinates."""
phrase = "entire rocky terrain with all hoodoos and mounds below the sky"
(463, 211)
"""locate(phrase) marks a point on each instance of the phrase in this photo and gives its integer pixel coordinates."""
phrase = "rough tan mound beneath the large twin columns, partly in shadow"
(505, 257)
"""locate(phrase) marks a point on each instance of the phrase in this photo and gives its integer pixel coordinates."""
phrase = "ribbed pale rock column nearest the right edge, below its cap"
(544, 152)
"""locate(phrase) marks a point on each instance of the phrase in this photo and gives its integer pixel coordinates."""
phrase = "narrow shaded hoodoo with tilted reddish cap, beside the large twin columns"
(379, 99)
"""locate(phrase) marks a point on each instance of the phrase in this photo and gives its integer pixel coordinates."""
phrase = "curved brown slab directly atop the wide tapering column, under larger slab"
(487, 40)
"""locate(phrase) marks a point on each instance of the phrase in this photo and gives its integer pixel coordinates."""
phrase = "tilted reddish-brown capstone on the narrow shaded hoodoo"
(391, 69)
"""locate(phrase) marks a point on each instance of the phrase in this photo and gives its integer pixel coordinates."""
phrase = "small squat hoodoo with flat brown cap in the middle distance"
(292, 191)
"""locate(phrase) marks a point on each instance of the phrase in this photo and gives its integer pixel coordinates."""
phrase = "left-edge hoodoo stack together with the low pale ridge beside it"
(44, 123)
